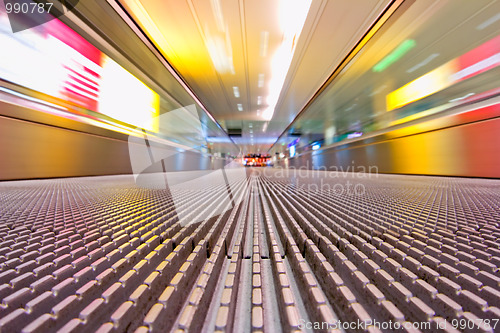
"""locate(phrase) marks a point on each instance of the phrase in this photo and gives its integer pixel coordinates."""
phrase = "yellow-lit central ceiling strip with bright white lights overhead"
(254, 64)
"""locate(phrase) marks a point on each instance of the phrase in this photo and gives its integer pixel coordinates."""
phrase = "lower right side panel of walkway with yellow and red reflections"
(463, 149)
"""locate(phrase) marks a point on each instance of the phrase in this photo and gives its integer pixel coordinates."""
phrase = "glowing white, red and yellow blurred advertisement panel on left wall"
(55, 60)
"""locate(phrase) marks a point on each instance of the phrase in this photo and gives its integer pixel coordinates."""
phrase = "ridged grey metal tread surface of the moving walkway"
(290, 251)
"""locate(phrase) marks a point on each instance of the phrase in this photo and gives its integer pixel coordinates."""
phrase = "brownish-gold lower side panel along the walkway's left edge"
(31, 150)
